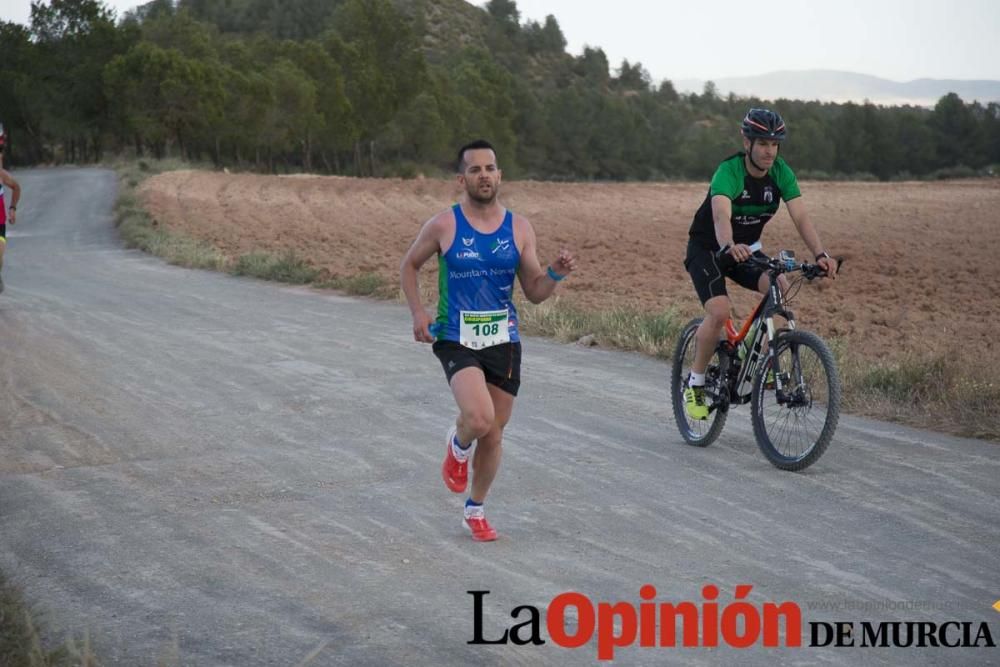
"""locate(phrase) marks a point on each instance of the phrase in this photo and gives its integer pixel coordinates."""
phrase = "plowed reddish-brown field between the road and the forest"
(920, 265)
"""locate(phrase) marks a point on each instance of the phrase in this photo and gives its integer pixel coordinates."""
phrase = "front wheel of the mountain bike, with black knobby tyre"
(794, 425)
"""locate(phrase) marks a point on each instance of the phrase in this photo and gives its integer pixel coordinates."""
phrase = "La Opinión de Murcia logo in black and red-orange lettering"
(572, 620)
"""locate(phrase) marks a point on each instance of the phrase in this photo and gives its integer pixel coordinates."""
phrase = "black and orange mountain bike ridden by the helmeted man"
(788, 376)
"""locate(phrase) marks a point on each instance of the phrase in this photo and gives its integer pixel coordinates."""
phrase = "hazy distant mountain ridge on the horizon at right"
(834, 86)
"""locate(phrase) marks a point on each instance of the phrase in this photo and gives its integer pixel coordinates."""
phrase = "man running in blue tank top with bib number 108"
(481, 247)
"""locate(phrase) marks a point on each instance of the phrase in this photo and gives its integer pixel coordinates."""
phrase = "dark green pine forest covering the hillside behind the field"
(392, 87)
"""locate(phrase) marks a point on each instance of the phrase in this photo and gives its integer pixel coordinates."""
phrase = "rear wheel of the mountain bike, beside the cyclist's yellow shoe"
(699, 433)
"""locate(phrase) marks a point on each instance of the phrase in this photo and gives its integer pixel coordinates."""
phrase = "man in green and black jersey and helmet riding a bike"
(744, 195)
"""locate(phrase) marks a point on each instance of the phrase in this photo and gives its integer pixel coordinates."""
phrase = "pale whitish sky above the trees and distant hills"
(899, 40)
